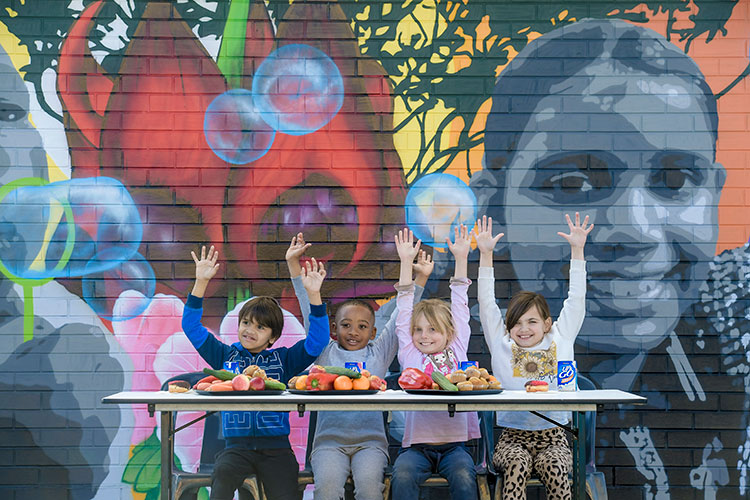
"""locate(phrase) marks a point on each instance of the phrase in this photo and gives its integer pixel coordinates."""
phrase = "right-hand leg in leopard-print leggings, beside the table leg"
(553, 463)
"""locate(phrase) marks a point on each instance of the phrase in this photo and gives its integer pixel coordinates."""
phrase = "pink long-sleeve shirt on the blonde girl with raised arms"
(434, 427)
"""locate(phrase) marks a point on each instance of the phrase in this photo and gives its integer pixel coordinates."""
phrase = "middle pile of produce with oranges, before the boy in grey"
(335, 378)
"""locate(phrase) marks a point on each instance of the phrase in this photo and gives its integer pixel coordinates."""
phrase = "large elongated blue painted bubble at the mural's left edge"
(54, 230)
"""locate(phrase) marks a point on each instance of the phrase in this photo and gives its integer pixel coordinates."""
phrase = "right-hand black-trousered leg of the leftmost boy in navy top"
(278, 471)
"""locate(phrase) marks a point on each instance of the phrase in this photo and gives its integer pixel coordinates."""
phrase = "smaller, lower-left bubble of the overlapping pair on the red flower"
(235, 130)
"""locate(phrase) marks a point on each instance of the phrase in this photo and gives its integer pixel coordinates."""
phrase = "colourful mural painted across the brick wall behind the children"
(134, 131)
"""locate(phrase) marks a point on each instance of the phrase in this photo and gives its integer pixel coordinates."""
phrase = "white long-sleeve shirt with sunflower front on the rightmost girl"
(514, 365)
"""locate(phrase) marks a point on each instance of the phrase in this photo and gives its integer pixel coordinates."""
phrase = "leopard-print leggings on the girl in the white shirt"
(546, 451)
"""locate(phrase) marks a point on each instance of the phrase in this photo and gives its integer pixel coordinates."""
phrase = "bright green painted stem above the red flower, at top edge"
(231, 59)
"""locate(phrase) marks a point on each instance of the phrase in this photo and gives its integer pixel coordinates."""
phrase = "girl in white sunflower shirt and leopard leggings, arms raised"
(527, 348)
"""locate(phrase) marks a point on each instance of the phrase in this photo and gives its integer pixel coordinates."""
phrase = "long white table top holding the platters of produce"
(385, 400)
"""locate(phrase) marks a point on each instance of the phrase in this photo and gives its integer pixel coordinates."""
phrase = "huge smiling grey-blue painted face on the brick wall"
(636, 152)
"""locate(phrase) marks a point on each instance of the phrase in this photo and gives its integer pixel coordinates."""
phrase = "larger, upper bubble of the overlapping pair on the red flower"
(298, 89)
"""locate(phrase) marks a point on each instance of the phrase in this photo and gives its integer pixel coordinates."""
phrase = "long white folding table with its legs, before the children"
(577, 402)
